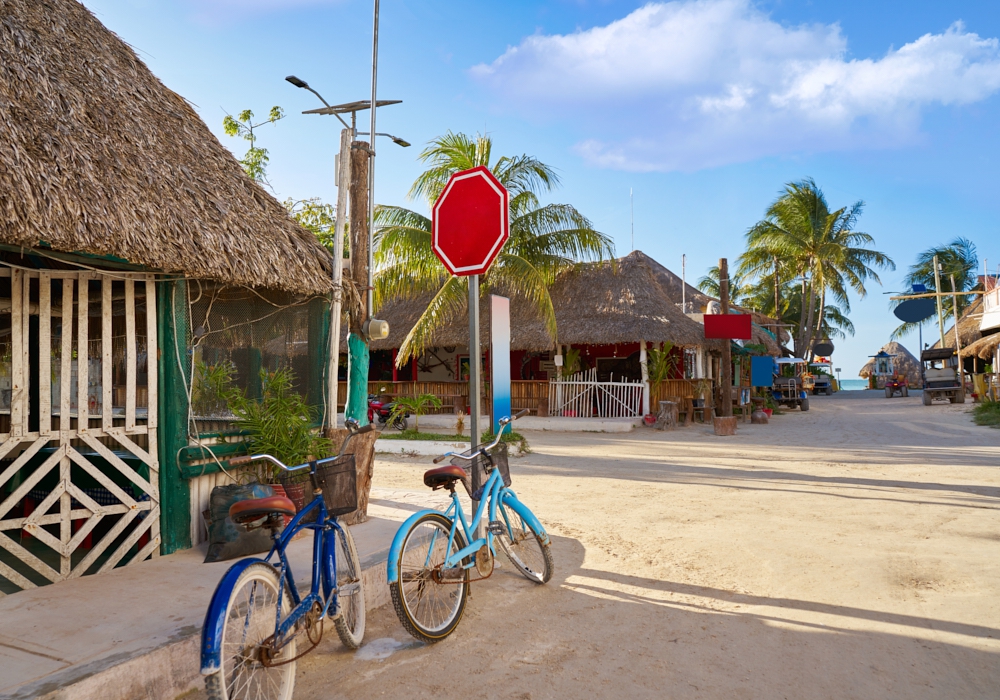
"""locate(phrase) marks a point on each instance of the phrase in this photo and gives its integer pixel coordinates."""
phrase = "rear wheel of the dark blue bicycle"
(257, 683)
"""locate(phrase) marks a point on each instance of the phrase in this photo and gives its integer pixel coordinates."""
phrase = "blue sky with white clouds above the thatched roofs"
(703, 108)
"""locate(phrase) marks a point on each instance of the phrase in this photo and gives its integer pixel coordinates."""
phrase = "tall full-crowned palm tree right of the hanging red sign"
(801, 239)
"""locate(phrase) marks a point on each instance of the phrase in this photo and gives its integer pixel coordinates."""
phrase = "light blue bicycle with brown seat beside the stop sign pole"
(432, 561)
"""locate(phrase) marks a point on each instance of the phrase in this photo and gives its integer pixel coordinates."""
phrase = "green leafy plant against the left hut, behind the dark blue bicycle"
(280, 423)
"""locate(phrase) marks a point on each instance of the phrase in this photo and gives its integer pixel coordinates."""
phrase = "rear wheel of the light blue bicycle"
(428, 598)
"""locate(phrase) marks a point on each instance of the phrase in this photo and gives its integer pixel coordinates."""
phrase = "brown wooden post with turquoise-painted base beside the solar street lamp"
(357, 342)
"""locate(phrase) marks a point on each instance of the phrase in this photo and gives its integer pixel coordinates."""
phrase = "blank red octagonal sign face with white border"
(471, 221)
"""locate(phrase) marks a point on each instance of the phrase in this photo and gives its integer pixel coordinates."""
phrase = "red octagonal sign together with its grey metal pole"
(470, 225)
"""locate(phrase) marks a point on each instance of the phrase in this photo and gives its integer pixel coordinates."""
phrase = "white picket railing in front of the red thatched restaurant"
(581, 395)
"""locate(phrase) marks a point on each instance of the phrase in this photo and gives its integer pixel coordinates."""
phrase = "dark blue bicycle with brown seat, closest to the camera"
(257, 618)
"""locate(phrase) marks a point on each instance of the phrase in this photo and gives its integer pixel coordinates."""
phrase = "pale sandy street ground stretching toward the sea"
(849, 552)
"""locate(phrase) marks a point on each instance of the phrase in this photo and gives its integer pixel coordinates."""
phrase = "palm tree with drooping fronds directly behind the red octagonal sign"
(544, 240)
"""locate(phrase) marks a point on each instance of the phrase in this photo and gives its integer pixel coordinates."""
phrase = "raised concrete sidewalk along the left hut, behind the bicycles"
(135, 632)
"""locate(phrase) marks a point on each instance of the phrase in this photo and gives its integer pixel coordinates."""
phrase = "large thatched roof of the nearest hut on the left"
(98, 156)
